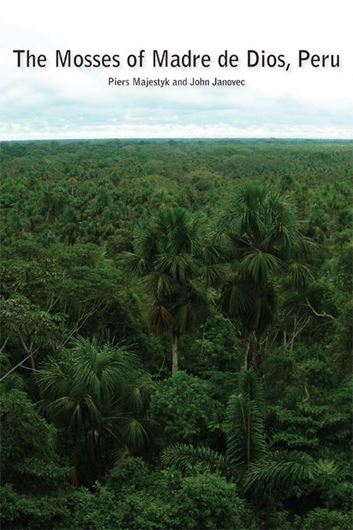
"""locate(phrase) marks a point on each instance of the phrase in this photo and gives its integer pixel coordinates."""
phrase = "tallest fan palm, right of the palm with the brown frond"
(263, 241)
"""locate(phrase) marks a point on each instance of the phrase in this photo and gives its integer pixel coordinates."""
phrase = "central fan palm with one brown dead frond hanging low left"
(167, 254)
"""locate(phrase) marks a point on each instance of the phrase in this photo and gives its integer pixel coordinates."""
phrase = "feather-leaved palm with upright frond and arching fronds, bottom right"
(248, 460)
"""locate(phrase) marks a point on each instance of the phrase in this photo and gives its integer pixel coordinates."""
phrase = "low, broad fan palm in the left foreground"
(99, 396)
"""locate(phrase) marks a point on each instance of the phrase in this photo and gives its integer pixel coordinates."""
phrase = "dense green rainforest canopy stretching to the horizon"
(176, 335)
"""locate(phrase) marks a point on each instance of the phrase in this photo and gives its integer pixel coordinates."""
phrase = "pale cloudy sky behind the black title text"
(54, 103)
